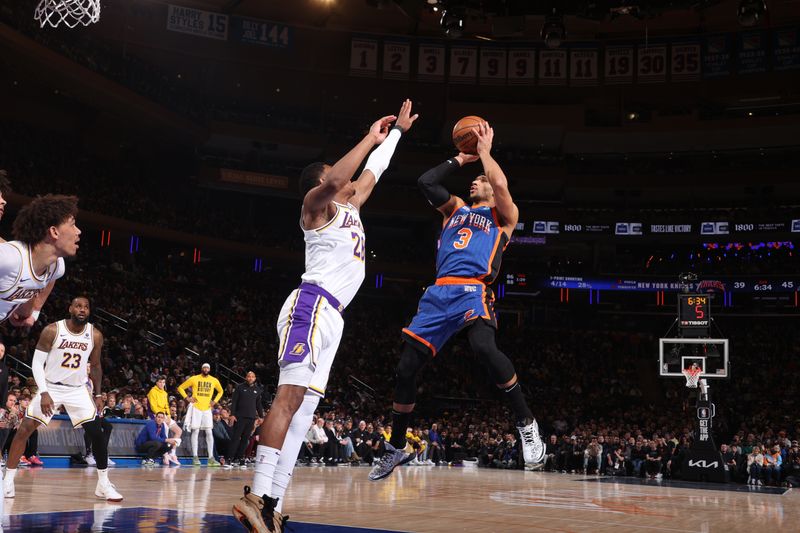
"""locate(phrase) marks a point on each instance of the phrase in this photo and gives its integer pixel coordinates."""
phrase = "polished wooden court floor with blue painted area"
(421, 499)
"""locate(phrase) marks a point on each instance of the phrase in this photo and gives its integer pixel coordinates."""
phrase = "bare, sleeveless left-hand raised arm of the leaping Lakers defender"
(318, 198)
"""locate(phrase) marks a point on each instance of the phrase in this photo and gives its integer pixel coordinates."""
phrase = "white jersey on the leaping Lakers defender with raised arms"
(335, 254)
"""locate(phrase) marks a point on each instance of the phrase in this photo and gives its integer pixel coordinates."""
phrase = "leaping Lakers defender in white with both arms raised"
(310, 323)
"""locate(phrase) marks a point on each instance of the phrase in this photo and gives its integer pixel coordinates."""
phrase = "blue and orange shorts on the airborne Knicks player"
(447, 307)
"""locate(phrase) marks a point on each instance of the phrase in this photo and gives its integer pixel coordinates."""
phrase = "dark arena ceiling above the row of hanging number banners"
(510, 19)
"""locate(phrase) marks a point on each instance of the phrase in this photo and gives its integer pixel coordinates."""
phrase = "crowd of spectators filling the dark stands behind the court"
(580, 386)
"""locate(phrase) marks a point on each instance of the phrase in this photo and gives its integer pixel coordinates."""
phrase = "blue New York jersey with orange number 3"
(471, 244)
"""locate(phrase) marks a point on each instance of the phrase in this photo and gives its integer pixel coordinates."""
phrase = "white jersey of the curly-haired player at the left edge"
(18, 282)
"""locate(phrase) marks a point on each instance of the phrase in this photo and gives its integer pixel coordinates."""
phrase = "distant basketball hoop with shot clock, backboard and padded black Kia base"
(689, 350)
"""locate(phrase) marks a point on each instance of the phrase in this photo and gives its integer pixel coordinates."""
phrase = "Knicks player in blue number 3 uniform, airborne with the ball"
(471, 246)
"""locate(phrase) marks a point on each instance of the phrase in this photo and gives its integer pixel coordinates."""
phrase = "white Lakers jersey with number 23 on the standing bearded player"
(68, 360)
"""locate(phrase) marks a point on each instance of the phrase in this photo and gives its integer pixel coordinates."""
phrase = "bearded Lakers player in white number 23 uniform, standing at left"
(60, 366)
